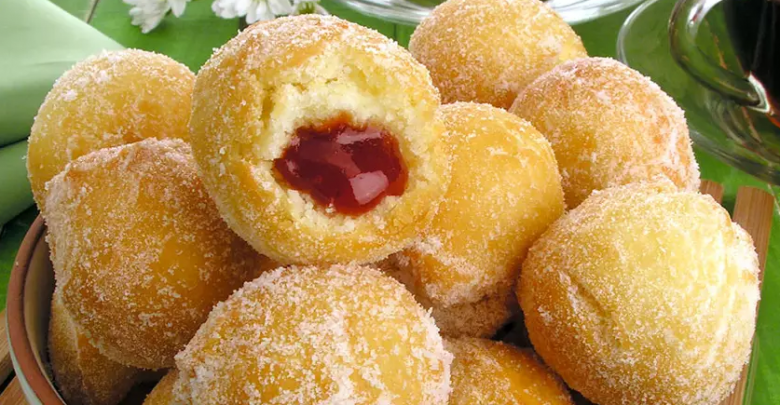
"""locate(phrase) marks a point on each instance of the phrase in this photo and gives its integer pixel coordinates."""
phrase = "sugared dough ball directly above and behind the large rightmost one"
(609, 126)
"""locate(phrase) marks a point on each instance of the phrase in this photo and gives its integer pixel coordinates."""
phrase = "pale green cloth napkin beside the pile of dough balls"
(38, 42)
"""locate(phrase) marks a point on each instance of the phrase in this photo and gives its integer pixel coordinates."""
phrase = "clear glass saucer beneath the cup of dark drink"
(737, 135)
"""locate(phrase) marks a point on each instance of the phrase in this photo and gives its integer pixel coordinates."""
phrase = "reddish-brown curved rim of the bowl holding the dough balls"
(26, 363)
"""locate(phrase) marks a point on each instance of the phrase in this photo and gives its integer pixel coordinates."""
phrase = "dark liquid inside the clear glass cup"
(754, 27)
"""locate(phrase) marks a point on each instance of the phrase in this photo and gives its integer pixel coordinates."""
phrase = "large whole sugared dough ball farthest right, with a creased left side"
(643, 294)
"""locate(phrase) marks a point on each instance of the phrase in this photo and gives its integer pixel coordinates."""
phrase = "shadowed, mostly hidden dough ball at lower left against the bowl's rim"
(82, 374)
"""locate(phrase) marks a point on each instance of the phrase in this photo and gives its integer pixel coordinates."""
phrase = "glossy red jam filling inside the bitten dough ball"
(346, 167)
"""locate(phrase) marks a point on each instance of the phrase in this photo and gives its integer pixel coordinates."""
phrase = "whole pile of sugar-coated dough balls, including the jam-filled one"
(305, 222)
